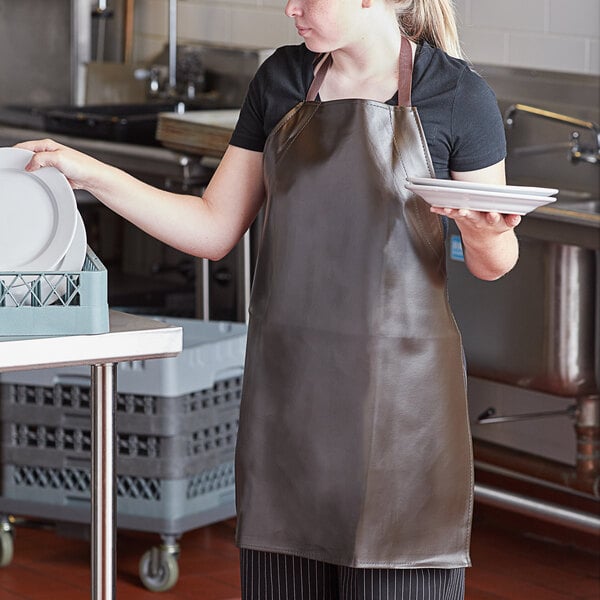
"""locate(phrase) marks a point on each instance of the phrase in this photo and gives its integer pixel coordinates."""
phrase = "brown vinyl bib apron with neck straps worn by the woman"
(353, 444)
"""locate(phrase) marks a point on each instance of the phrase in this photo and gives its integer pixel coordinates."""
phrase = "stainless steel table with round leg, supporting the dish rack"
(130, 338)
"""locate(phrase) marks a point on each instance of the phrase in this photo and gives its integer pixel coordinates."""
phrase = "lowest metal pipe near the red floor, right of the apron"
(546, 511)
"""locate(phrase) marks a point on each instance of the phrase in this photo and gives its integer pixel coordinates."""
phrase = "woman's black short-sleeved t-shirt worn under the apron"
(458, 110)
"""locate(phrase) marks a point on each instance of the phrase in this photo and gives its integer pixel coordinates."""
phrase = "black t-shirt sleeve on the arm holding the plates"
(478, 134)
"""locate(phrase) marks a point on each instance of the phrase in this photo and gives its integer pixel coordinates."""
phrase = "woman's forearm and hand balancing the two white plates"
(490, 245)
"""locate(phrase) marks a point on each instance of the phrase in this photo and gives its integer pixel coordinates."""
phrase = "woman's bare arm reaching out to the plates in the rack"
(208, 227)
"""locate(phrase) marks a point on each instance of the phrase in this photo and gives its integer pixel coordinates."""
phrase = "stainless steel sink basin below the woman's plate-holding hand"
(536, 326)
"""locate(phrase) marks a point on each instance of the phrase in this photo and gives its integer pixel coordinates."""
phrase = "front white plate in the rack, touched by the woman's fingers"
(38, 214)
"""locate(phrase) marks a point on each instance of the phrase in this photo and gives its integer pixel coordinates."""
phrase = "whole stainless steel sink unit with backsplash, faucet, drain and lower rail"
(532, 338)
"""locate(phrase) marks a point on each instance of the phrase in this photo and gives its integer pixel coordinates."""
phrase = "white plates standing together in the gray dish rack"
(41, 229)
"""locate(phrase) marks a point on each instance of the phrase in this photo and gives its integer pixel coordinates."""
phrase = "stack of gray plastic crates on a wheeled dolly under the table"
(176, 421)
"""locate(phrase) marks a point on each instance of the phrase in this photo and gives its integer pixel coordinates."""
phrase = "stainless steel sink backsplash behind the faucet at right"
(538, 149)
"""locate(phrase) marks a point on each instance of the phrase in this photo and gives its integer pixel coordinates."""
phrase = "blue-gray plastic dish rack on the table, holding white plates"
(33, 304)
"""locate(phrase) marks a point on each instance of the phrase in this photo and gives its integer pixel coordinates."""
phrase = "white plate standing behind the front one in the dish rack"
(55, 285)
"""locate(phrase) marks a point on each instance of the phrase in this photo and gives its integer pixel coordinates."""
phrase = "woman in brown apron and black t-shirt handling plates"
(353, 464)
